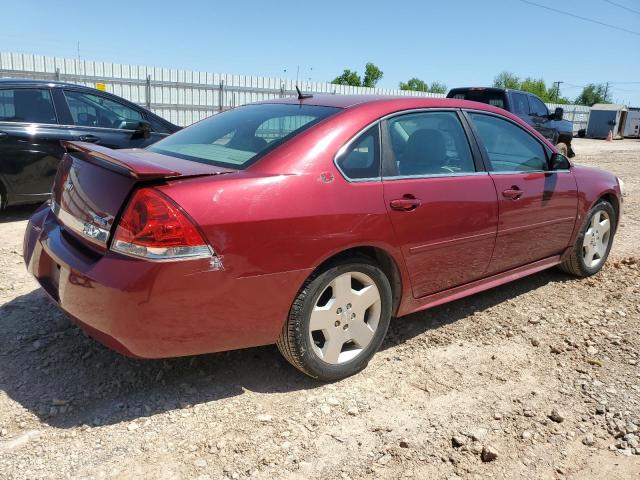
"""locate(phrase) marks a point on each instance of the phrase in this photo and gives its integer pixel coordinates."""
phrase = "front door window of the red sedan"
(508, 147)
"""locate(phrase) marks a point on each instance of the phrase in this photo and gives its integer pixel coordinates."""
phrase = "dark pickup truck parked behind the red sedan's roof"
(527, 106)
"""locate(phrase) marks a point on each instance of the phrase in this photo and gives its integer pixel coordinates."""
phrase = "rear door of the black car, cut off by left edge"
(30, 147)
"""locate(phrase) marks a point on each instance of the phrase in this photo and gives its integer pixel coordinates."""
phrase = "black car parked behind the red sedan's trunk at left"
(35, 115)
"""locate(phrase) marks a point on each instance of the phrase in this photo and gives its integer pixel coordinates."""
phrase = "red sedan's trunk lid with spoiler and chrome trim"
(93, 183)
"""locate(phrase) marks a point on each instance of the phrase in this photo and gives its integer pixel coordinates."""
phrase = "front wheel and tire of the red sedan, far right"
(583, 262)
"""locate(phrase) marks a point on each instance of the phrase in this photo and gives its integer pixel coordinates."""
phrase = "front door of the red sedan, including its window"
(537, 207)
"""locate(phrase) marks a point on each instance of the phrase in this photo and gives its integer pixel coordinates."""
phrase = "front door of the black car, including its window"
(104, 121)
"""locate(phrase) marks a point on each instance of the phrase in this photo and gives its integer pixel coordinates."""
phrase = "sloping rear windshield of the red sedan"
(239, 137)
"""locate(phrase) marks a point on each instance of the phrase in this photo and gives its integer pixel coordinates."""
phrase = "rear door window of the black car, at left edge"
(31, 105)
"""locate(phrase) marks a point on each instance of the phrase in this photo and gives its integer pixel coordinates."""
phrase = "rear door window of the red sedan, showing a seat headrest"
(429, 143)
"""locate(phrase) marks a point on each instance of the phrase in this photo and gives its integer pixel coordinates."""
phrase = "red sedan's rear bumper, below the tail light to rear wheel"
(156, 309)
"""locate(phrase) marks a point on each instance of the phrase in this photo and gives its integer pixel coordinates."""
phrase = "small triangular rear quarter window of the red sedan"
(361, 159)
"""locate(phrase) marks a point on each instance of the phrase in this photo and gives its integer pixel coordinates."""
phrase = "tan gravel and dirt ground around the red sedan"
(536, 379)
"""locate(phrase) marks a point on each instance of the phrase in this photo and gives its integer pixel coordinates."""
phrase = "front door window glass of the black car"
(90, 110)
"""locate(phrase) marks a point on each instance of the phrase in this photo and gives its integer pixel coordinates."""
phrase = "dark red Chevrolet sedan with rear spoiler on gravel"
(309, 223)
